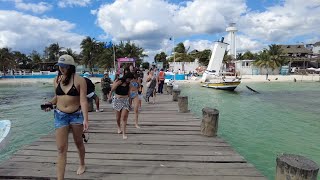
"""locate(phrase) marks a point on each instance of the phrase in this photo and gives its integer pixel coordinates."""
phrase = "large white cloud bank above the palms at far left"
(26, 33)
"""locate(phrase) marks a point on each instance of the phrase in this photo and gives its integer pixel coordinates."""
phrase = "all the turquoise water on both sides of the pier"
(283, 118)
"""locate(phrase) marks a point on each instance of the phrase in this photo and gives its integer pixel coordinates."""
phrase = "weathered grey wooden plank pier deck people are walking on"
(168, 146)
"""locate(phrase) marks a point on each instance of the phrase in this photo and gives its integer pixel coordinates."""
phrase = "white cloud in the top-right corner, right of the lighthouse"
(283, 22)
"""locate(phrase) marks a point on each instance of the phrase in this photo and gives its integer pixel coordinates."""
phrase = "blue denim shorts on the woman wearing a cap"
(62, 119)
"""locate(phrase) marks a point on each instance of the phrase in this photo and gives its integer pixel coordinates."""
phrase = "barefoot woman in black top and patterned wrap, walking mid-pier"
(121, 101)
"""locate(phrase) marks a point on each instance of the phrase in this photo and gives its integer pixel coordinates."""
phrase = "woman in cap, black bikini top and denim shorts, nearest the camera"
(71, 112)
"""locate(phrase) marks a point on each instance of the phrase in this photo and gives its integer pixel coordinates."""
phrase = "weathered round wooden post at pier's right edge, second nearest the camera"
(209, 124)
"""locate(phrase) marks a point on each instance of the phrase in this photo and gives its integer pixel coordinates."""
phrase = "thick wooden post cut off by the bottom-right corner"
(295, 167)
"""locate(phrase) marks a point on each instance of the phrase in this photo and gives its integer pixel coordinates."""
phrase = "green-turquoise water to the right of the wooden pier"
(283, 118)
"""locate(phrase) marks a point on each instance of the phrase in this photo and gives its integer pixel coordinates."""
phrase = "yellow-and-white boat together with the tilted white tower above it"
(213, 77)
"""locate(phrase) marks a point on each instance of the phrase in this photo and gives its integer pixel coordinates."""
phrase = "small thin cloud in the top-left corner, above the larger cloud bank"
(38, 8)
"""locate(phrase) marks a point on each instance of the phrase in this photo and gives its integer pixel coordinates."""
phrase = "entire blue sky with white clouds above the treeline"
(27, 25)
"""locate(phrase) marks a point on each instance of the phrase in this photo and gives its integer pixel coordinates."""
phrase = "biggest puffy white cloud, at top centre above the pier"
(150, 23)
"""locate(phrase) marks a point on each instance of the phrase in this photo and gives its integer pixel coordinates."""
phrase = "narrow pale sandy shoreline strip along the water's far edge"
(244, 79)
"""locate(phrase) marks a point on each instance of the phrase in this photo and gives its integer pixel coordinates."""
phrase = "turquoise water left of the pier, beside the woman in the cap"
(20, 103)
